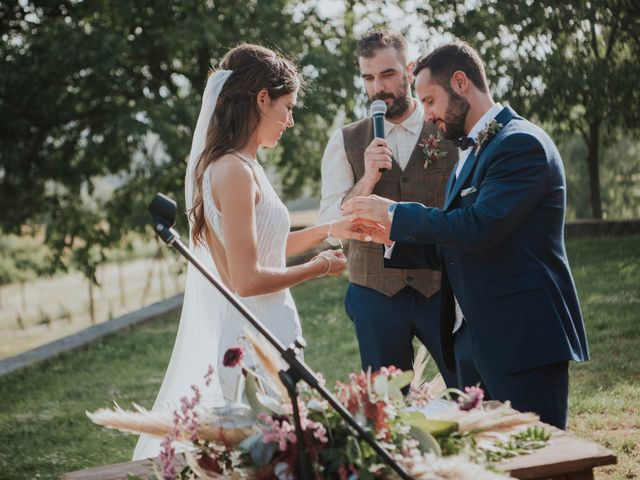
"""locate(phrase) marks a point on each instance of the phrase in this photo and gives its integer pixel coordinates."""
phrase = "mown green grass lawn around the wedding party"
(44, 432)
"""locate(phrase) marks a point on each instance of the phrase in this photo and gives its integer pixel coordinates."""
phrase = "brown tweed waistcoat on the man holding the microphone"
(415, 184)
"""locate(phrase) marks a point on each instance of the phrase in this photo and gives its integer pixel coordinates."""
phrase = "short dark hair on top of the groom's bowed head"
(451, 57)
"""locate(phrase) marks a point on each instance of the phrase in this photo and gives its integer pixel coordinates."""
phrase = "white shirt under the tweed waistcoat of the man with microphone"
(337, 175)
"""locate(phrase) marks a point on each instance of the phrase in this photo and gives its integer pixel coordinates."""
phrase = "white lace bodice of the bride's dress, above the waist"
(272, 217)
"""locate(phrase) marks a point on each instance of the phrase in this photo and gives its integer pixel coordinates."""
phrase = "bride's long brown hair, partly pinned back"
(236, 114)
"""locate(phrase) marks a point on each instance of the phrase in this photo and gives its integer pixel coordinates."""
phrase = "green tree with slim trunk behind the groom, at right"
(572, 65)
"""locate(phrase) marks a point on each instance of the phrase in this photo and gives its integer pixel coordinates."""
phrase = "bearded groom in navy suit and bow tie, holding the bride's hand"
(510, 318)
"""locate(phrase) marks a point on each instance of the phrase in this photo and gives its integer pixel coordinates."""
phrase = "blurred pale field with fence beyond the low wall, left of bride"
(36, 308)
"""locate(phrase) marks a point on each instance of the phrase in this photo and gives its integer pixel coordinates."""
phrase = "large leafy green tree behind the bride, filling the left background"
(111, 89)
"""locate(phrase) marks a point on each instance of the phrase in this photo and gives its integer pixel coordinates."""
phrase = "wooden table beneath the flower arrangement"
(564, 458)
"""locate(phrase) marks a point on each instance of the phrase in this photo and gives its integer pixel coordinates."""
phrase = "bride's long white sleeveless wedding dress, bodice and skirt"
(200, 342)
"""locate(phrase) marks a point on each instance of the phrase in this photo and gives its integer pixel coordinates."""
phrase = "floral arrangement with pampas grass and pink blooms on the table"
(254, 437)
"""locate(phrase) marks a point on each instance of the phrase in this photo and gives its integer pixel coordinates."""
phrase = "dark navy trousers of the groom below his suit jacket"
(541, 390)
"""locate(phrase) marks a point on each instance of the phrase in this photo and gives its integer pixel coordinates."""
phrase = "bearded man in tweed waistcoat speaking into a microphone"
(388, 307)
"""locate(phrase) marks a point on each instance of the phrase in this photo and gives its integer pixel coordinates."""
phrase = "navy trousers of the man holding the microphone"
(385, 327)
